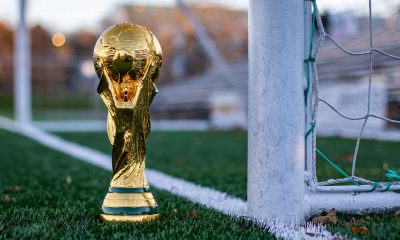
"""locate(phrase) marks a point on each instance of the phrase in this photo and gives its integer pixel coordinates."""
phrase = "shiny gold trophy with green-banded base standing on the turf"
(127, 59)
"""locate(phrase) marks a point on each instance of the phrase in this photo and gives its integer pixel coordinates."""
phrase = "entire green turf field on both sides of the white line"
(47, 206)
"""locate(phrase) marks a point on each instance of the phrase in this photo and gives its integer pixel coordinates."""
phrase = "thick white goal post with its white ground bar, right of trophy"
(277, 152)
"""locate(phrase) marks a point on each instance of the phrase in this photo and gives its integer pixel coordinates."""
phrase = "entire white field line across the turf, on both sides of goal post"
(208, 197)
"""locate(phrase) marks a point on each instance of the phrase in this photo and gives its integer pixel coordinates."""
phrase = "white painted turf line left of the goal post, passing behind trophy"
(195, 193)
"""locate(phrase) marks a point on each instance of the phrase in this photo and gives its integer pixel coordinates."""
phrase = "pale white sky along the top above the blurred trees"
(71, 15)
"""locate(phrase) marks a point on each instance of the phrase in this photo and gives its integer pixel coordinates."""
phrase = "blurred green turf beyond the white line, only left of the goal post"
(214, 159)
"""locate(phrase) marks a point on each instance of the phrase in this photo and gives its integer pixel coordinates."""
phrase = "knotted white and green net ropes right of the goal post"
(359, 183)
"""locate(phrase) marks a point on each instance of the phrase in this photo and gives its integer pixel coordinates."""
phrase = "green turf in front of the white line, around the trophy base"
(49, 207)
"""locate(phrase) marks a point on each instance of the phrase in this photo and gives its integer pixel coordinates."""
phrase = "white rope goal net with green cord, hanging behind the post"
(349, 182)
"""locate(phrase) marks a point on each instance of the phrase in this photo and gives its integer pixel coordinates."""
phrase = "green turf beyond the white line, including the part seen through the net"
(218, 160)
